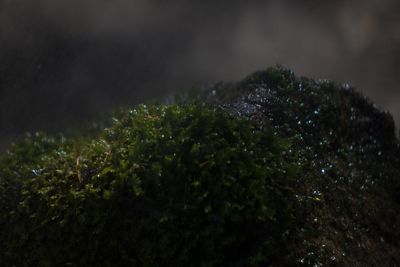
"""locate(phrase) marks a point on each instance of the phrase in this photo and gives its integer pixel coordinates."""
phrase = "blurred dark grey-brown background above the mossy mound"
(63, 62)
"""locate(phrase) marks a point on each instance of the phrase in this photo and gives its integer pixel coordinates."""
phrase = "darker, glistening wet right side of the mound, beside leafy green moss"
(350, 157)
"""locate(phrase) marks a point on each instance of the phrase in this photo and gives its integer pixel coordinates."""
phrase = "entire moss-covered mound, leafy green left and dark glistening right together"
(272, 171)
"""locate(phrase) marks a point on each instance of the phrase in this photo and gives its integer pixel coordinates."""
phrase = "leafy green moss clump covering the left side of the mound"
(164, 185)
